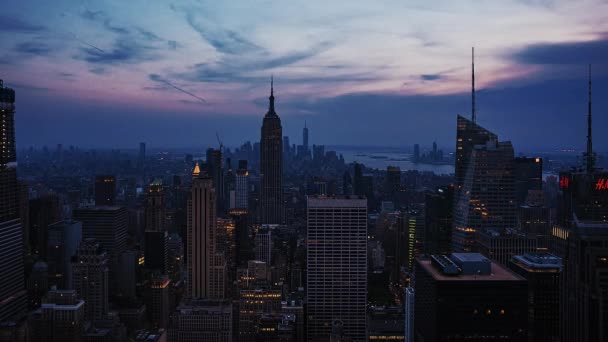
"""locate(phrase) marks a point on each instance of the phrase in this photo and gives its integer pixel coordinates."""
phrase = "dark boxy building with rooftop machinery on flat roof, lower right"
(466, 297)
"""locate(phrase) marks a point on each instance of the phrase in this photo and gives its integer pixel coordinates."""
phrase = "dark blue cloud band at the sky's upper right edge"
(568, 53)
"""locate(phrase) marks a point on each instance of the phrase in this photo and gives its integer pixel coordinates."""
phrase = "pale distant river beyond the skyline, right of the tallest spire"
(380, 158)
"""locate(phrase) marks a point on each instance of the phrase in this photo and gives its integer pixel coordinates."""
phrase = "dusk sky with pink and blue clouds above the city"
(101, 76)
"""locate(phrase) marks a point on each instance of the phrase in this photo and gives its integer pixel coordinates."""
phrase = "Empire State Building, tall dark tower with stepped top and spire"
(271, 166)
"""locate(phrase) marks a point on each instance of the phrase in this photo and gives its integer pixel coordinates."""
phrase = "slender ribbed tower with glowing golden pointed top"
(206, 267)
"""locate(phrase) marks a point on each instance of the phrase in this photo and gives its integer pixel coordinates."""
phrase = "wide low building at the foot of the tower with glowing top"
(201, 321)
